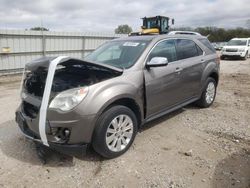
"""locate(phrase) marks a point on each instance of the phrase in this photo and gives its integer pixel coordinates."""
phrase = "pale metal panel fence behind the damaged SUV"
(18, 47)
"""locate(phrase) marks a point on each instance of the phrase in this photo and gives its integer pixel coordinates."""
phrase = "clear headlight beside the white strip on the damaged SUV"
(68, 99)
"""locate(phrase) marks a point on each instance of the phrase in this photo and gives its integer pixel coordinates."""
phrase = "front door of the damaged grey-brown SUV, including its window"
(162, 84)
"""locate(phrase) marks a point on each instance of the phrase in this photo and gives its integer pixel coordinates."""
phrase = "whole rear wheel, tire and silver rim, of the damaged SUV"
(208, 94)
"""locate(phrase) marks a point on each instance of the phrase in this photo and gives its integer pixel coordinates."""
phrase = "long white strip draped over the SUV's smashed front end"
(45, 100)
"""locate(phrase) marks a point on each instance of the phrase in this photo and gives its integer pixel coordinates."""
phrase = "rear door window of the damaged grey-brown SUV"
(187, 48)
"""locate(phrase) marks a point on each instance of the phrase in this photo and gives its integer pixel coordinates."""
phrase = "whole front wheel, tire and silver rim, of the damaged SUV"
(115, 132)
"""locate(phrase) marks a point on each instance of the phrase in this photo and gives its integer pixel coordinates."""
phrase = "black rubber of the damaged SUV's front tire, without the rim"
(99, 137)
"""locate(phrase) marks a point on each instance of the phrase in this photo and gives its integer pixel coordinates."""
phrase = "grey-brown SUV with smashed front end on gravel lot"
(69, 104)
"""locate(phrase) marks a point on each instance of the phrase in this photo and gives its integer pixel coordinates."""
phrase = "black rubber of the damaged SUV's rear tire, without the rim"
(202, 102)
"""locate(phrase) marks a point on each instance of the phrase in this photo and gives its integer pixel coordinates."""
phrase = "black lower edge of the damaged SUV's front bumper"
(77, 150)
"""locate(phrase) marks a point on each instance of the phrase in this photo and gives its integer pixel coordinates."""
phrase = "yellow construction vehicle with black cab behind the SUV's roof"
(154, 25)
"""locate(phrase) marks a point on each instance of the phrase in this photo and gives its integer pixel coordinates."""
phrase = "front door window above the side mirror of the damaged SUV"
(164, 49)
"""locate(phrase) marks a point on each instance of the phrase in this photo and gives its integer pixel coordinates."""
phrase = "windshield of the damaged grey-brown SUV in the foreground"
(121, 54)
